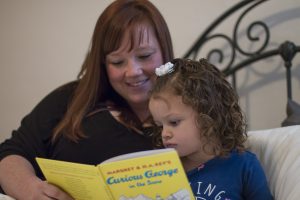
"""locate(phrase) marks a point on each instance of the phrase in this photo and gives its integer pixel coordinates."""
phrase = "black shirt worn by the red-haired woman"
(106, 137)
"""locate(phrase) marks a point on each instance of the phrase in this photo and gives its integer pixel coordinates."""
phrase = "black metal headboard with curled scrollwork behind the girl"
(286, 50)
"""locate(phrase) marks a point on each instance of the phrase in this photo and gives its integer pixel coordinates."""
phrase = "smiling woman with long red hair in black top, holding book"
(102, 114)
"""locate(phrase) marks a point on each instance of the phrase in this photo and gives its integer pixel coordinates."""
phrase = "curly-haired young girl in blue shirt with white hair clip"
(198, 114)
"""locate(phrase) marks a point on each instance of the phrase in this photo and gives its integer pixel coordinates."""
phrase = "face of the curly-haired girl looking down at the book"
(178, 122)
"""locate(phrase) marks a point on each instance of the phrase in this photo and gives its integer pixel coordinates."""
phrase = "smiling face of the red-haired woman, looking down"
(131, 72)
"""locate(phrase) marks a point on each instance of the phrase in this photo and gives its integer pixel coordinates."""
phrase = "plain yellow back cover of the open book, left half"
(81, 181)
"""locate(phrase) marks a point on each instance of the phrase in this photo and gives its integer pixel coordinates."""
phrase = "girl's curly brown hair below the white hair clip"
(204, 87)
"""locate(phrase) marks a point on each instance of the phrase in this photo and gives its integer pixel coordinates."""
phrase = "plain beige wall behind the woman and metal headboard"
(43, 43)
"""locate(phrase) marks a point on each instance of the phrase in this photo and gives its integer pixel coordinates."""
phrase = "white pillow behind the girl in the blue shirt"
(278, 150)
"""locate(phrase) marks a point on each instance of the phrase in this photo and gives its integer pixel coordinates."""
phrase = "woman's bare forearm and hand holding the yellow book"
(18, 179)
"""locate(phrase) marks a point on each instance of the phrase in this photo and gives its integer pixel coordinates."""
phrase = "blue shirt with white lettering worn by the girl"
(239, 176)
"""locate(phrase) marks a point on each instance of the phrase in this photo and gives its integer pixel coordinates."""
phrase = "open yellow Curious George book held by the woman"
(146, 175)
